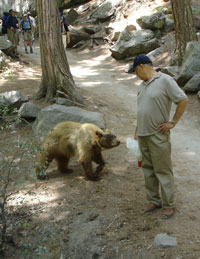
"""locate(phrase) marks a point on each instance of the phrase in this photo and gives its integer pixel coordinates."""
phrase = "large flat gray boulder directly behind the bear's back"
(50, 116)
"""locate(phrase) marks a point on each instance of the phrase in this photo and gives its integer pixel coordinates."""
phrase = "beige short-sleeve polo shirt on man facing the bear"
(154, 103)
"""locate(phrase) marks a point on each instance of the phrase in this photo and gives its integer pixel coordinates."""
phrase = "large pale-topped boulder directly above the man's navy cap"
(132, 43)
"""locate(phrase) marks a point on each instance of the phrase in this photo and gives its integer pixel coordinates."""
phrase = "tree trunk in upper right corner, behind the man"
(184, 26)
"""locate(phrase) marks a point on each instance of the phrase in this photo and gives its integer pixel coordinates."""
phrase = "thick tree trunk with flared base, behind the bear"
(56, 73)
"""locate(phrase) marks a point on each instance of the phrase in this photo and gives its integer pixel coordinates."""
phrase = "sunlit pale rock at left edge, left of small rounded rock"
(15, 99)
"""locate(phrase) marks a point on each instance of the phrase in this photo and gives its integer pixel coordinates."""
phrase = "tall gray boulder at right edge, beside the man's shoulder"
(191, 63)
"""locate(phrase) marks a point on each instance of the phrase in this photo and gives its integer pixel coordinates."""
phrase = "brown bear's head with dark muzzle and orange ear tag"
(106, 141)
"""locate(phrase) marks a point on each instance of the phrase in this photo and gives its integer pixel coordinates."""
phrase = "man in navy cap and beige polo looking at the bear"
(155, 97)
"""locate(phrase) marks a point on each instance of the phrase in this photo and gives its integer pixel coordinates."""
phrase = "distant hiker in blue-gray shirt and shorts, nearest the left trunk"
(27, 29)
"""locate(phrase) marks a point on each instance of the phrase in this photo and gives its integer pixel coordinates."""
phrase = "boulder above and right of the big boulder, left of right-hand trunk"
(152, 22)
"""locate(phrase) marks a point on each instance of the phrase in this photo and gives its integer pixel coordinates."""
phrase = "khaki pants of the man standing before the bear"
(157, 168)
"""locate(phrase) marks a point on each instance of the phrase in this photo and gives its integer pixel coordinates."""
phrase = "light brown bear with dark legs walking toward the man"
(68, 139)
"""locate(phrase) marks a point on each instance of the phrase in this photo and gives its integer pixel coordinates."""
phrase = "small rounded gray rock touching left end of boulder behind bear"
(29, 110)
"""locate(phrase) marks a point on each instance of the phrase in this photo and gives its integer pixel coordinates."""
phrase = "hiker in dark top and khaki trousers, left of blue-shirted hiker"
(12, 26)
